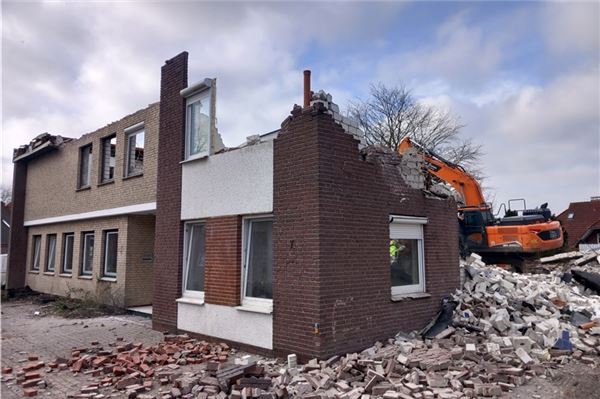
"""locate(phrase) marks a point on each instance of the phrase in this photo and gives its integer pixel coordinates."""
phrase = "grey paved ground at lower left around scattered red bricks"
(24, 334)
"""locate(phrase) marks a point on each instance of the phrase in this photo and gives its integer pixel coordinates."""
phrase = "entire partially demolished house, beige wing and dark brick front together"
(300, 241)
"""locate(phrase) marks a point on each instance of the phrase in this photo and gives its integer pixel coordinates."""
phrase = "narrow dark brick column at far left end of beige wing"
(17, 246)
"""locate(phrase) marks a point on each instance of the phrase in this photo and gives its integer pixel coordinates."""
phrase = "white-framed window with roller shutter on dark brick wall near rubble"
(407, 263)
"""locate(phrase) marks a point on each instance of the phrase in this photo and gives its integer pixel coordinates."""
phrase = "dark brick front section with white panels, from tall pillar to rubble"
(298, 241)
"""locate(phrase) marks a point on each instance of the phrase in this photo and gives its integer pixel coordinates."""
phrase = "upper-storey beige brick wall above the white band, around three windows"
(52, 180)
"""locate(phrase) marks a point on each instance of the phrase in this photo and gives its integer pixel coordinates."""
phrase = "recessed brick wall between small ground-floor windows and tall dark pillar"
(139, 280)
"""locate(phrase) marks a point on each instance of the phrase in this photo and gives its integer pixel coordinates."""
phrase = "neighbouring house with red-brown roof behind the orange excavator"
(581, 221)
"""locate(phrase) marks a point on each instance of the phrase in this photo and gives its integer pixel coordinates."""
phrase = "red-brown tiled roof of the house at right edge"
(585, 214)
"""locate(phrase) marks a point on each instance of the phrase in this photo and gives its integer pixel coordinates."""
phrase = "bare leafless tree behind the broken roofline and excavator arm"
(390, 114)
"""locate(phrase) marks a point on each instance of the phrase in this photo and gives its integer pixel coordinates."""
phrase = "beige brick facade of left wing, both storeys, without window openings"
(52, 192)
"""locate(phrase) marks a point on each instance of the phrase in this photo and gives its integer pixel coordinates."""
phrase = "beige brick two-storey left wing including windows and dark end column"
(83, 218)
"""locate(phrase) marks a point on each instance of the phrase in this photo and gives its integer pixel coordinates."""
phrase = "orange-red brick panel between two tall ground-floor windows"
(223, 260)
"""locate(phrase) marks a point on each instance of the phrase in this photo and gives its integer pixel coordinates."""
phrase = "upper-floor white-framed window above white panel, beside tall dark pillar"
(197, 137)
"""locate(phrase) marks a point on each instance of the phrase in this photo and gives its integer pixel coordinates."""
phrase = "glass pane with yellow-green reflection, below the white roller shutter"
(404, 258)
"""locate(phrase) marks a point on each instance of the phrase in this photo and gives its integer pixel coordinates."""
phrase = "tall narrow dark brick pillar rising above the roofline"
(169, 229)
